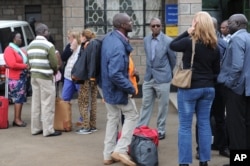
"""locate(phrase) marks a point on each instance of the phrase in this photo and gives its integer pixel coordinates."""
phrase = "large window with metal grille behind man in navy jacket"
(99, 14)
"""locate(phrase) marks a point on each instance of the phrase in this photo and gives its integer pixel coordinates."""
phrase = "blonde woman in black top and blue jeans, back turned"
(199, 97)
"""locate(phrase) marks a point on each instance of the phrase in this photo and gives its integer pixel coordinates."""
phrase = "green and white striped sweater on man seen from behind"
(42, 59)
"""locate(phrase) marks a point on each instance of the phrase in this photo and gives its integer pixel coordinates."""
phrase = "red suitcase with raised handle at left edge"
(4, 105)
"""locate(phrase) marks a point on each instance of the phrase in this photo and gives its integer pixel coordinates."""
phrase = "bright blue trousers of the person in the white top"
(69, 89)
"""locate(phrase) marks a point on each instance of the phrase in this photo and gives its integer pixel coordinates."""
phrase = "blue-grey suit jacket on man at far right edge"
(234, 72)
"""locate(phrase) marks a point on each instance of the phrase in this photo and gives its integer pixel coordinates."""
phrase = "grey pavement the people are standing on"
(20, 148)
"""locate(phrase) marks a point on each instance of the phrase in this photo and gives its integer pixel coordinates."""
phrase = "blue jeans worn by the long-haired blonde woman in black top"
(192, 101)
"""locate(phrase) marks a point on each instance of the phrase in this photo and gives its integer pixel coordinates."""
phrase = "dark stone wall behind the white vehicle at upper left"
(51, 14)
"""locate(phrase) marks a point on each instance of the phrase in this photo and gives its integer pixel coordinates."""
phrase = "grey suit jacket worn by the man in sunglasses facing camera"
(161, 68)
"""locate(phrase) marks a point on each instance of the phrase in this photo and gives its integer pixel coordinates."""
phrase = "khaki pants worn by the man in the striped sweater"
(42, 106)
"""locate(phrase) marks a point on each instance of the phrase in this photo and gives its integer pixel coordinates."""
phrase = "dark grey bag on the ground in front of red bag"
(143, 151)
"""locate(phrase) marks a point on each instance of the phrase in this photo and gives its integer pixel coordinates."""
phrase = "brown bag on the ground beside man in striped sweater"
(63, 115)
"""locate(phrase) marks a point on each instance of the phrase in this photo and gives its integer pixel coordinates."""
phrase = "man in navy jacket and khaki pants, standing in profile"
(117, 91)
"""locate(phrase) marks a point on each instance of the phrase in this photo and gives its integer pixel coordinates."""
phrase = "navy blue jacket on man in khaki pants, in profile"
(115, 84)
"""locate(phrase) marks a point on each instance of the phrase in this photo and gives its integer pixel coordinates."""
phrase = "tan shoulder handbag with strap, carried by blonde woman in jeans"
(182, 77)
